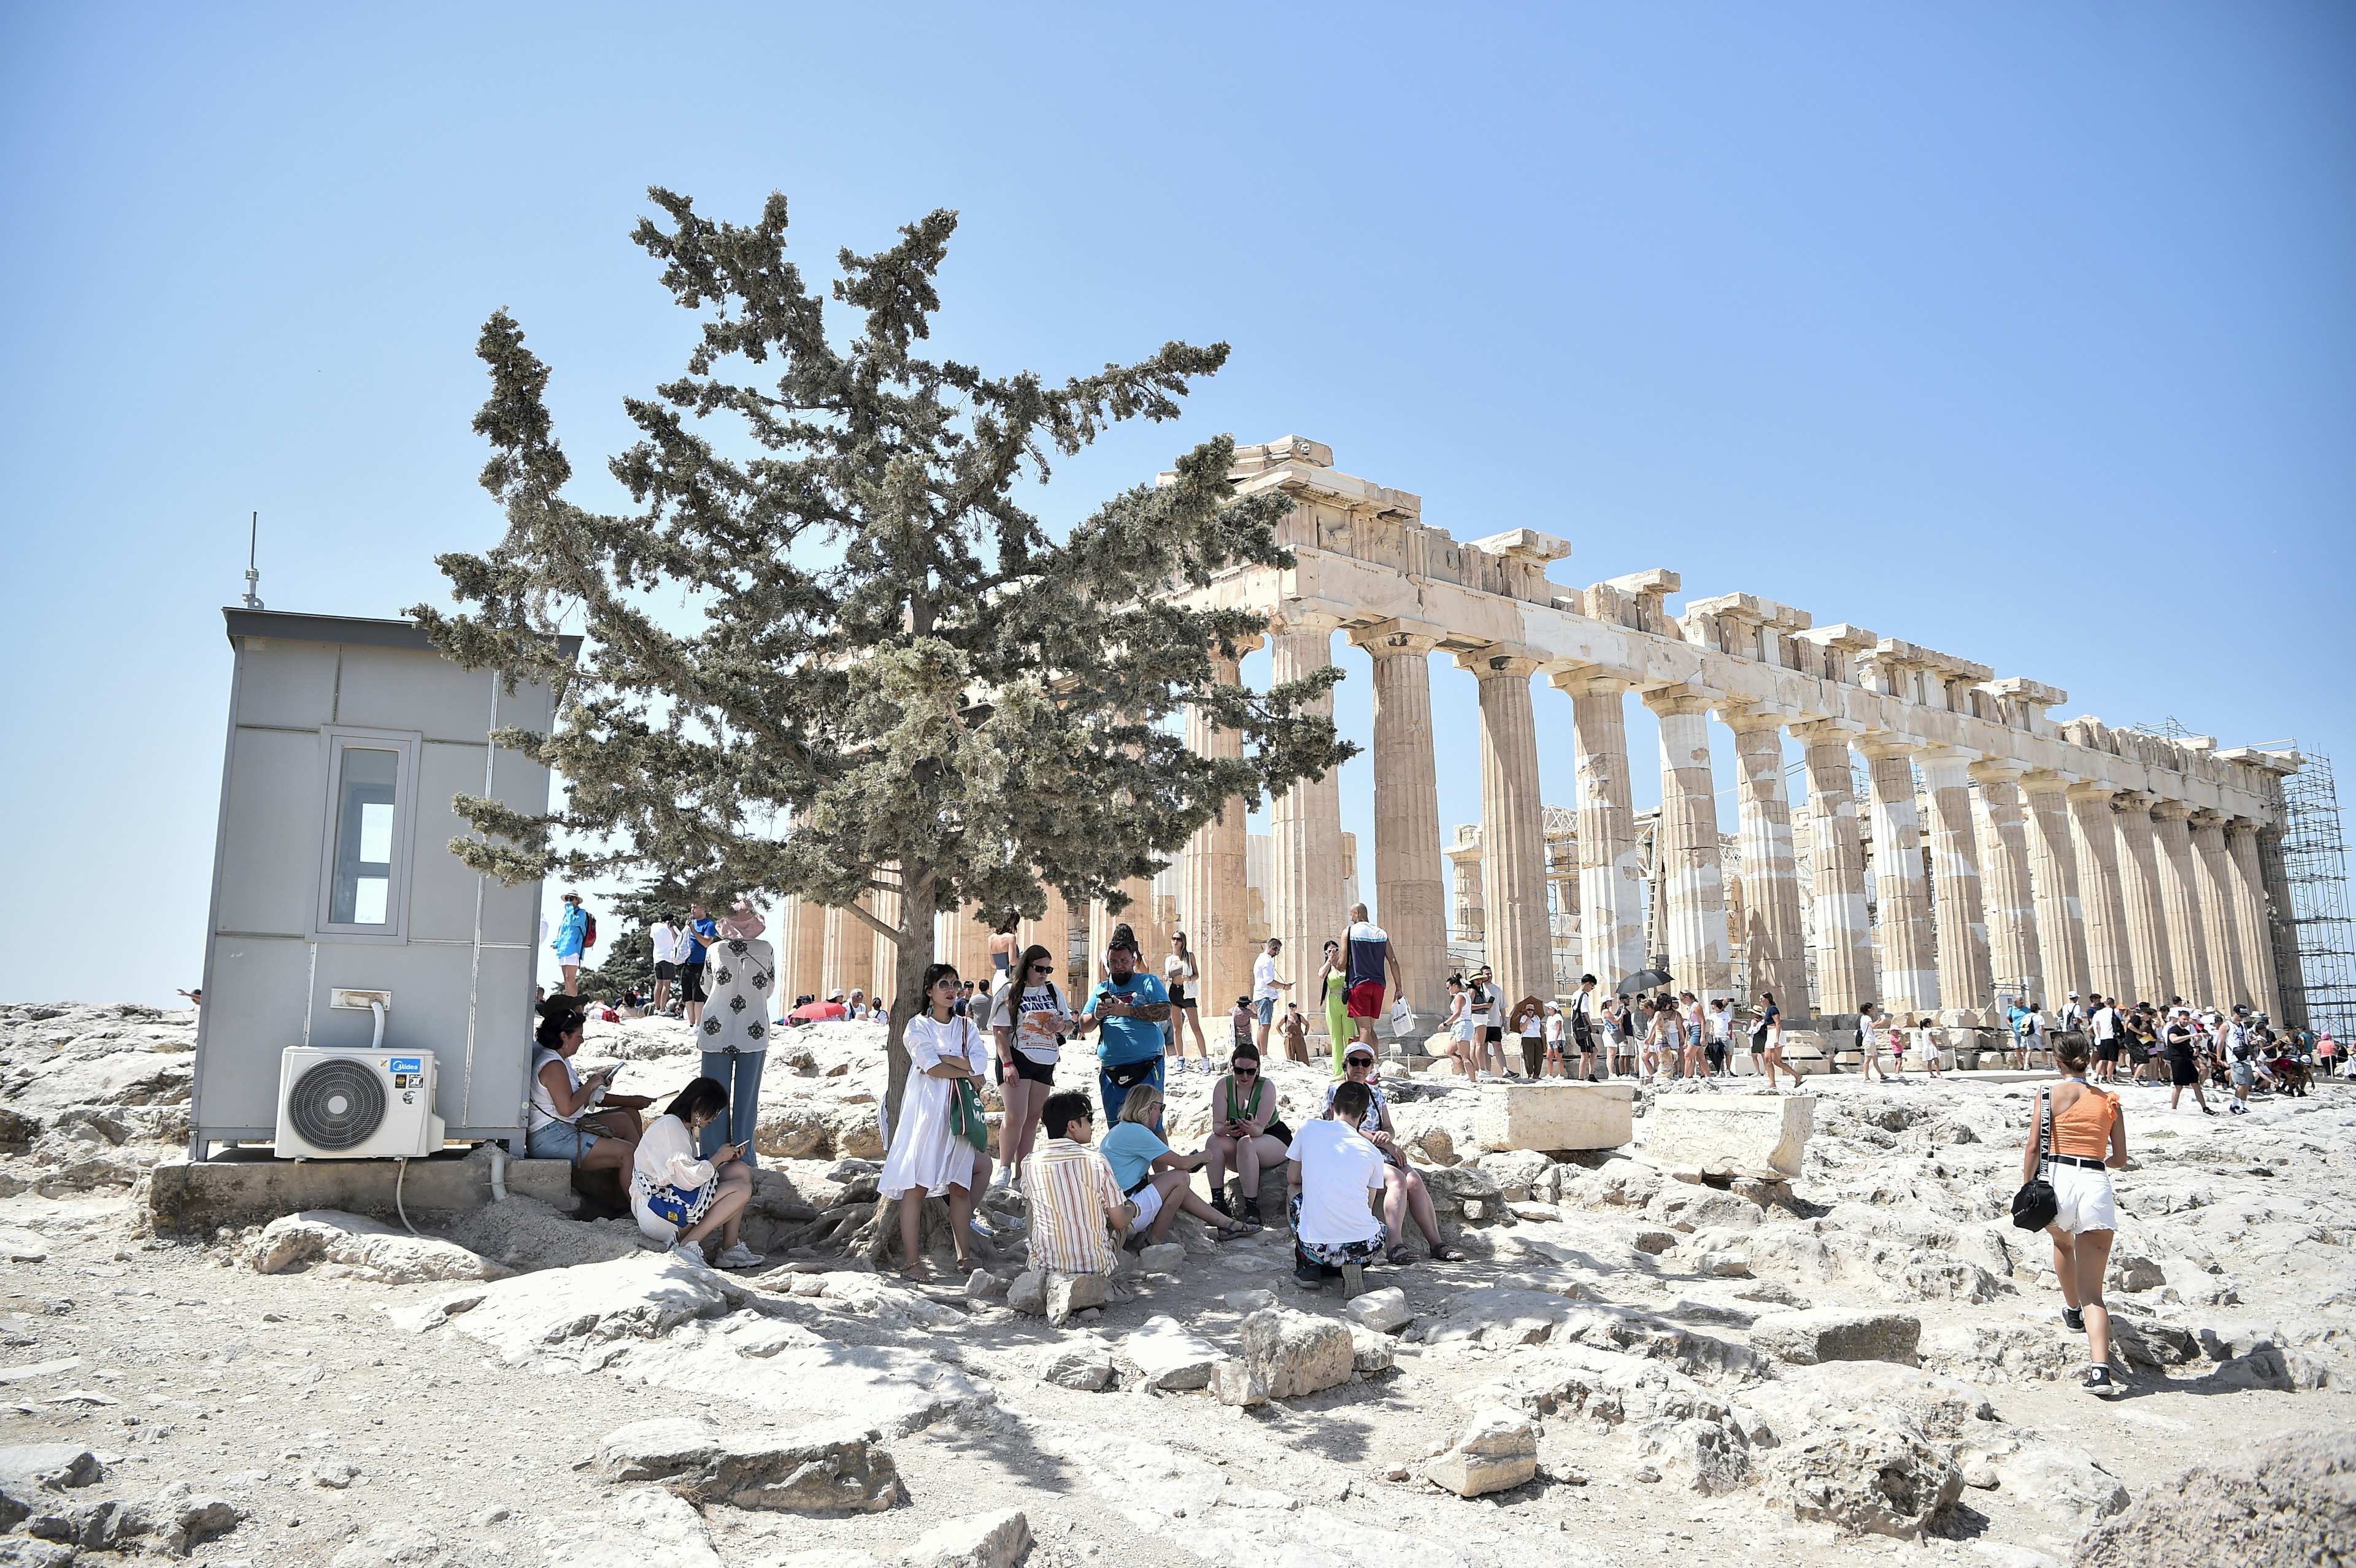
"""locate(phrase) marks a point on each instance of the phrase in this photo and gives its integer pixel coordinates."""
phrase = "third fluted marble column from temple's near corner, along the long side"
(1511, 828)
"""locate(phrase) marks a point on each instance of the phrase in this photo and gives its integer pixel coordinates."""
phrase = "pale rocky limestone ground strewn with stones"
(1634, 1369)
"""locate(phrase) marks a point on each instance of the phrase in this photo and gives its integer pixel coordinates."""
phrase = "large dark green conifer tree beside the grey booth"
(887, 677)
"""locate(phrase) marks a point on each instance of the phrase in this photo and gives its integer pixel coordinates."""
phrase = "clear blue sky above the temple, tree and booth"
(2016, 331)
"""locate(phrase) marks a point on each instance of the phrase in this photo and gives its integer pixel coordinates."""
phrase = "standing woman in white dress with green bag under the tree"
(927, 1155)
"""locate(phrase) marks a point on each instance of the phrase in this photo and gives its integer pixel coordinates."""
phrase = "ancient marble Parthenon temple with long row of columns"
(1954, 844)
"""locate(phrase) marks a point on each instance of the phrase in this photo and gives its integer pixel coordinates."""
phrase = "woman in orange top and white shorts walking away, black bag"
(2089, 1141)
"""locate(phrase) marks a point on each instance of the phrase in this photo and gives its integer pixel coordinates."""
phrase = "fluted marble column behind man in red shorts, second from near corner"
(1410, 896)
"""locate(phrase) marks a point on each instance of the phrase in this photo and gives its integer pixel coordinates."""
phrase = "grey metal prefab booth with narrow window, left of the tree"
(331, 875)
